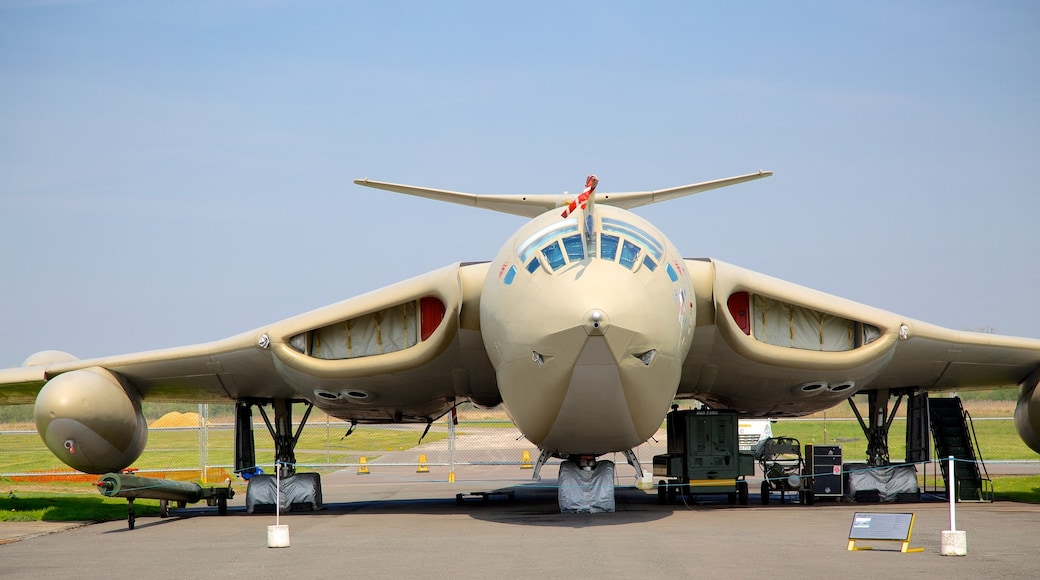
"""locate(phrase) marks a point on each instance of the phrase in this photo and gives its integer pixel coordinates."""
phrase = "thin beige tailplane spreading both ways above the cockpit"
(532, 206)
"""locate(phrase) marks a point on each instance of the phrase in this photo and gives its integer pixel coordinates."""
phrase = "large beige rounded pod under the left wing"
(92, 421)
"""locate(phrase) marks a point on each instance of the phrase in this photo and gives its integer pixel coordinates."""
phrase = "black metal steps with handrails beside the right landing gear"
(953, 434)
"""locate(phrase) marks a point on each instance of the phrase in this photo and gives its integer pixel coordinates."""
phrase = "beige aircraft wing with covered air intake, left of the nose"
(397, 355)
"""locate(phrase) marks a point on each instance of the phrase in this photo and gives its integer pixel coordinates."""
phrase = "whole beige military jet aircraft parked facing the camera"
(586, 326)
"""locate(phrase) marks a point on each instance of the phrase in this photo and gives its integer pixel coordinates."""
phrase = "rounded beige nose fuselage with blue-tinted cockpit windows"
(587, 322)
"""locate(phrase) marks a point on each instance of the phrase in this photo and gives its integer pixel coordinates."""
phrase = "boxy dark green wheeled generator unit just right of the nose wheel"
(704, 457)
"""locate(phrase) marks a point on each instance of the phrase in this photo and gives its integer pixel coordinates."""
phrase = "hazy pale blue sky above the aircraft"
(178, 173)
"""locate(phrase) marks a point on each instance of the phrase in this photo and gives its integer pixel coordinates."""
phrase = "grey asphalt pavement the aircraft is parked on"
(395, 522)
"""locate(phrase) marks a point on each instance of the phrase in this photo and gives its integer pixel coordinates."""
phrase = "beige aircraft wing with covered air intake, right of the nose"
(770, 348)
